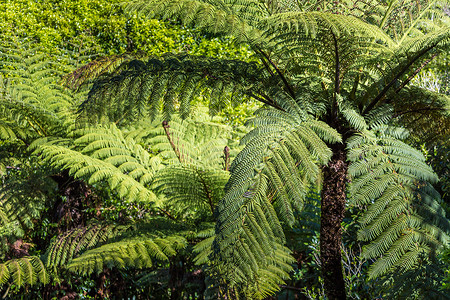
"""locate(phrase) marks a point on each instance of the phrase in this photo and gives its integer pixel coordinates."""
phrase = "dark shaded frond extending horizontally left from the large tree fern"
(141, 87)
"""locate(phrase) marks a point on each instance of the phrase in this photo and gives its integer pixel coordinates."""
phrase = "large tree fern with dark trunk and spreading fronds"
(334, 75)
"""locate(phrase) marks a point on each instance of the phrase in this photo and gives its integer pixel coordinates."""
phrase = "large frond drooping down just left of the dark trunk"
(269, 180)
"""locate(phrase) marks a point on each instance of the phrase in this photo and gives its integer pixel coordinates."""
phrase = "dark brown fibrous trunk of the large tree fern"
(332, 214)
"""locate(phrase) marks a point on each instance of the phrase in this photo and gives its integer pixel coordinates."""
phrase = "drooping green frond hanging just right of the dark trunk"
(403, 220)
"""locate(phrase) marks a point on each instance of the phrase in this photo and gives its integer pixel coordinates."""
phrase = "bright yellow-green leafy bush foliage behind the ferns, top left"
(103, 25)
